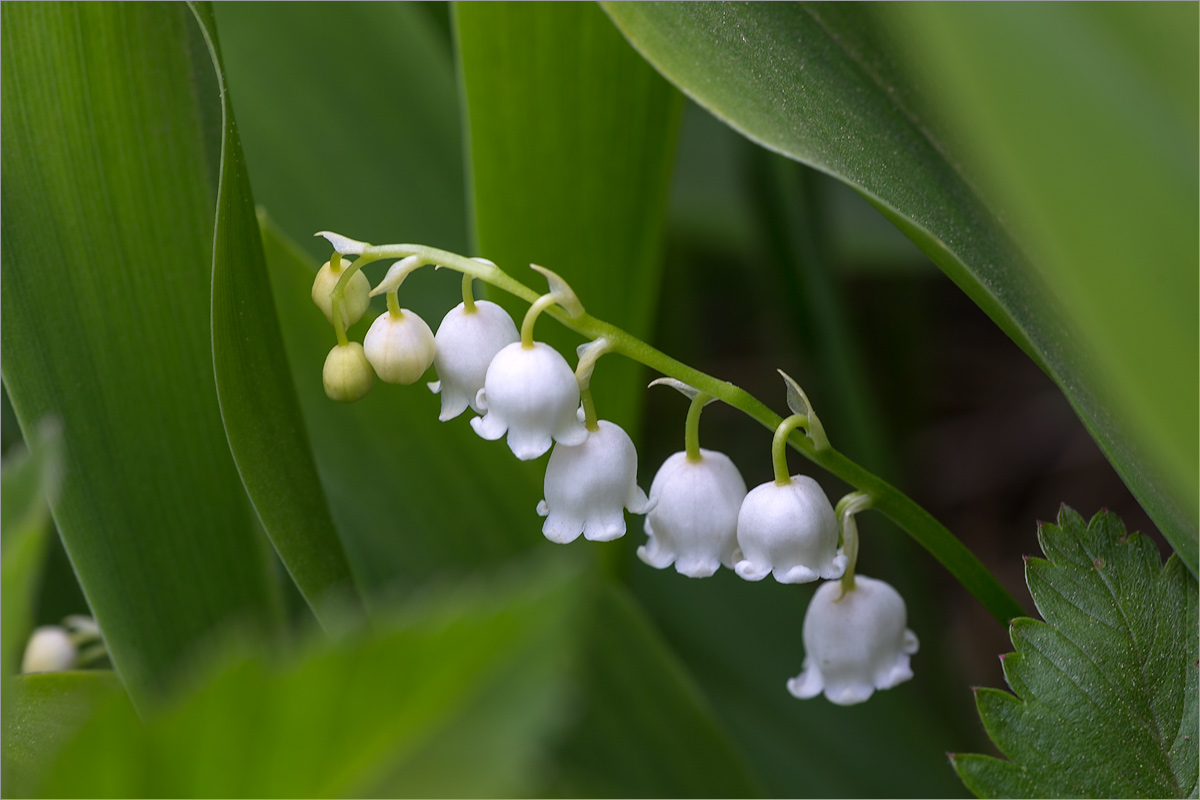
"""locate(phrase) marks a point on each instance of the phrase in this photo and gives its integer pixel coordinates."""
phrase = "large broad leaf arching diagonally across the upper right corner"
(1114, 326)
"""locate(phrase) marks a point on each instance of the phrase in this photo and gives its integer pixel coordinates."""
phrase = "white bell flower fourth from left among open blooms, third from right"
(694, 521)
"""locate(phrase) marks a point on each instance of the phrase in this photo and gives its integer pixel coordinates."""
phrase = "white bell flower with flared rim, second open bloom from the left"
(532, 394)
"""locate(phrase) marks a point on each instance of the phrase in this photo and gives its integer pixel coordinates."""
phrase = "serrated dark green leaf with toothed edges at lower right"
(1106, 688)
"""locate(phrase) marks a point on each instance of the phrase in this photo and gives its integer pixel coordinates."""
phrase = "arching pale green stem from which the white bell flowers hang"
(889, 501)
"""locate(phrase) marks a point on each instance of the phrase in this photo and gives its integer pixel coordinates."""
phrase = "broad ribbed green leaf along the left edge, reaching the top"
(107, 225)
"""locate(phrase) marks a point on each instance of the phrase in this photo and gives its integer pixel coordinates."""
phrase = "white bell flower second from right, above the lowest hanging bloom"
(789, 531)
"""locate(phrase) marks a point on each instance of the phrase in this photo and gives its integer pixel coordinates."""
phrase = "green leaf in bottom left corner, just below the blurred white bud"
(45, 712)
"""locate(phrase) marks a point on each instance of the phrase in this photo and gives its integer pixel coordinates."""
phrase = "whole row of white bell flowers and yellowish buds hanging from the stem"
(699, 515)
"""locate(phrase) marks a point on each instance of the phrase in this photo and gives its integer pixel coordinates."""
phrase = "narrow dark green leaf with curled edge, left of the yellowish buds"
(259, 404)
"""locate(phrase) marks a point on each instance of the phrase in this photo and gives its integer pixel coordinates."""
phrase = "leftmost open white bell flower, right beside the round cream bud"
(466, 345)
